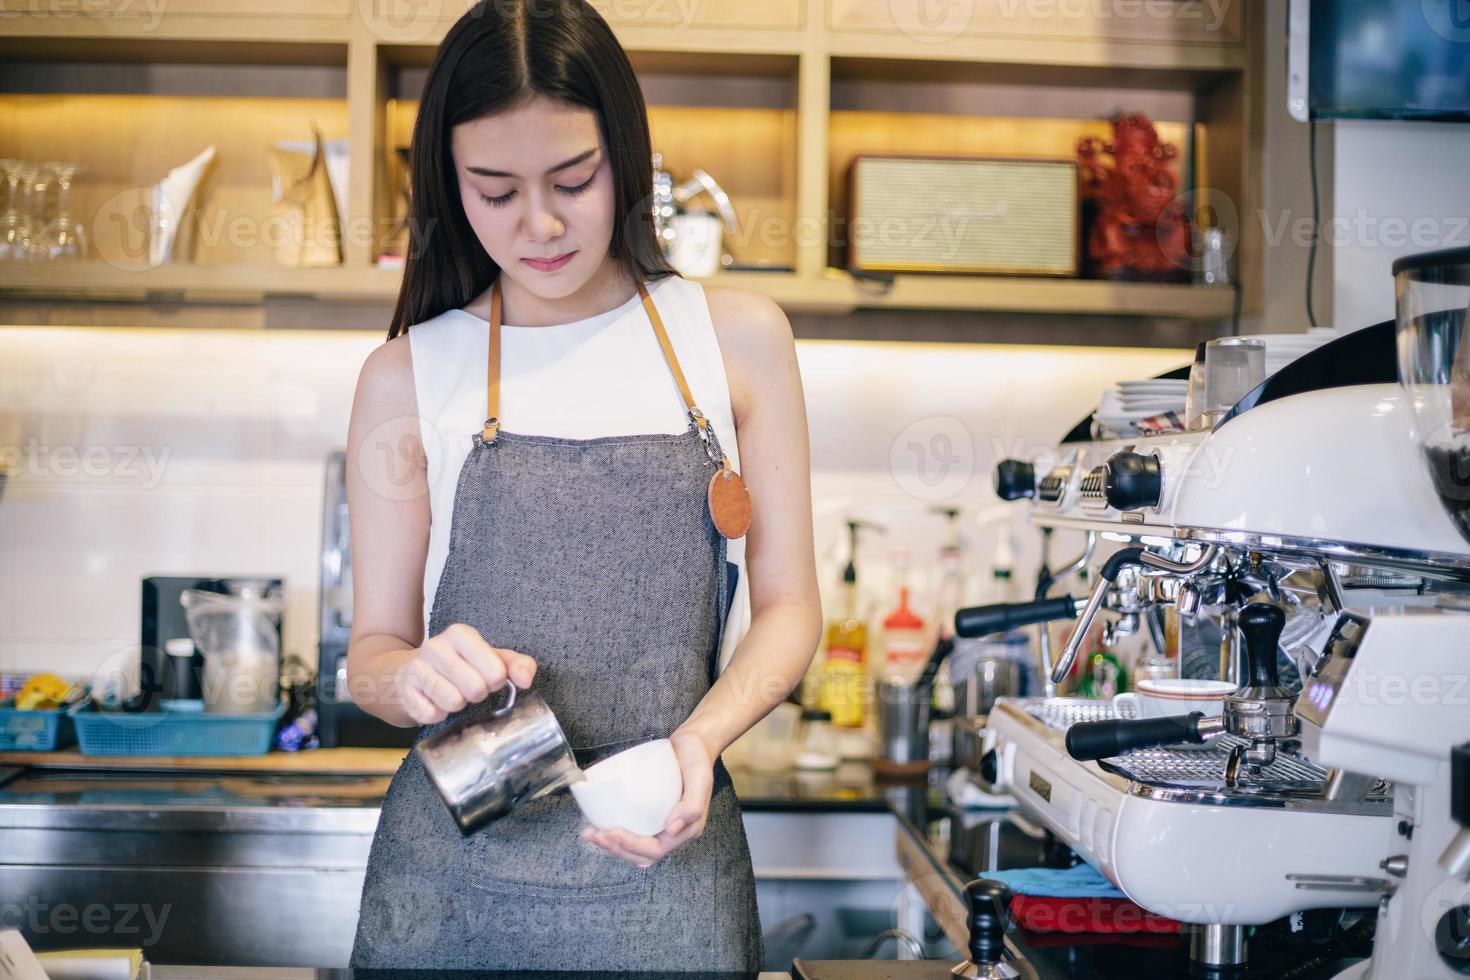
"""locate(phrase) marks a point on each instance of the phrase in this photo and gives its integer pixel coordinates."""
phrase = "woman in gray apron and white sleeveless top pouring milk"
(548, 490)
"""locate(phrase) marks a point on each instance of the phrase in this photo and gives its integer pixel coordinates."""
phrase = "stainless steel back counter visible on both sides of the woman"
(265, 868)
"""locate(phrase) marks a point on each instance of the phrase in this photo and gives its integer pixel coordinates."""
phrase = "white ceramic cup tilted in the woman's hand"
(634, 790)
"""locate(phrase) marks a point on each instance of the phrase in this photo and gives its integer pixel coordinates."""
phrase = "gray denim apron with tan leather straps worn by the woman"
(599, 559)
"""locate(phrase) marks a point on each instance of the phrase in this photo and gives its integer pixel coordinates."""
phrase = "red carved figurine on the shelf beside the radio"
(1140, 228)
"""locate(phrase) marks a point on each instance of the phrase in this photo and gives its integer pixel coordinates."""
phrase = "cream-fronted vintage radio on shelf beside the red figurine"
(964, 215)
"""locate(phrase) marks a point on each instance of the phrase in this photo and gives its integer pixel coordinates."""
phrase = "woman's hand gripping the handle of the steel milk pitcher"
(458, 669)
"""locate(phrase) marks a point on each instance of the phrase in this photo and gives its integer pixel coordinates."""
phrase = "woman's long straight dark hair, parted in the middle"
(498, 55)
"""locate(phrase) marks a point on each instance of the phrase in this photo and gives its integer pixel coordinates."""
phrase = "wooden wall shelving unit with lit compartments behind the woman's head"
(771, 96)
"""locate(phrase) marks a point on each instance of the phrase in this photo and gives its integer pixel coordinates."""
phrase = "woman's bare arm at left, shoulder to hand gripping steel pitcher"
(392, 671)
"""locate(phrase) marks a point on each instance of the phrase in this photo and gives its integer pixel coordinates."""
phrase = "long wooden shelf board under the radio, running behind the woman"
(834, 293)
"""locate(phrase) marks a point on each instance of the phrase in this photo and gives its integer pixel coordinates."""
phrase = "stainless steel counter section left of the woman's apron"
(182, 863)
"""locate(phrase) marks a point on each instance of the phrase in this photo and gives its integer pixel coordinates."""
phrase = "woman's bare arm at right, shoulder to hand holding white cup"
(770, 662)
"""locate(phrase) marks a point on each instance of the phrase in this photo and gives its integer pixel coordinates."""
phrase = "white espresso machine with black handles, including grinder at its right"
(1308, 528)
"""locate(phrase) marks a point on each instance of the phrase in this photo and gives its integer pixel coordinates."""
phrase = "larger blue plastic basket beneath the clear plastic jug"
(182, 728)
